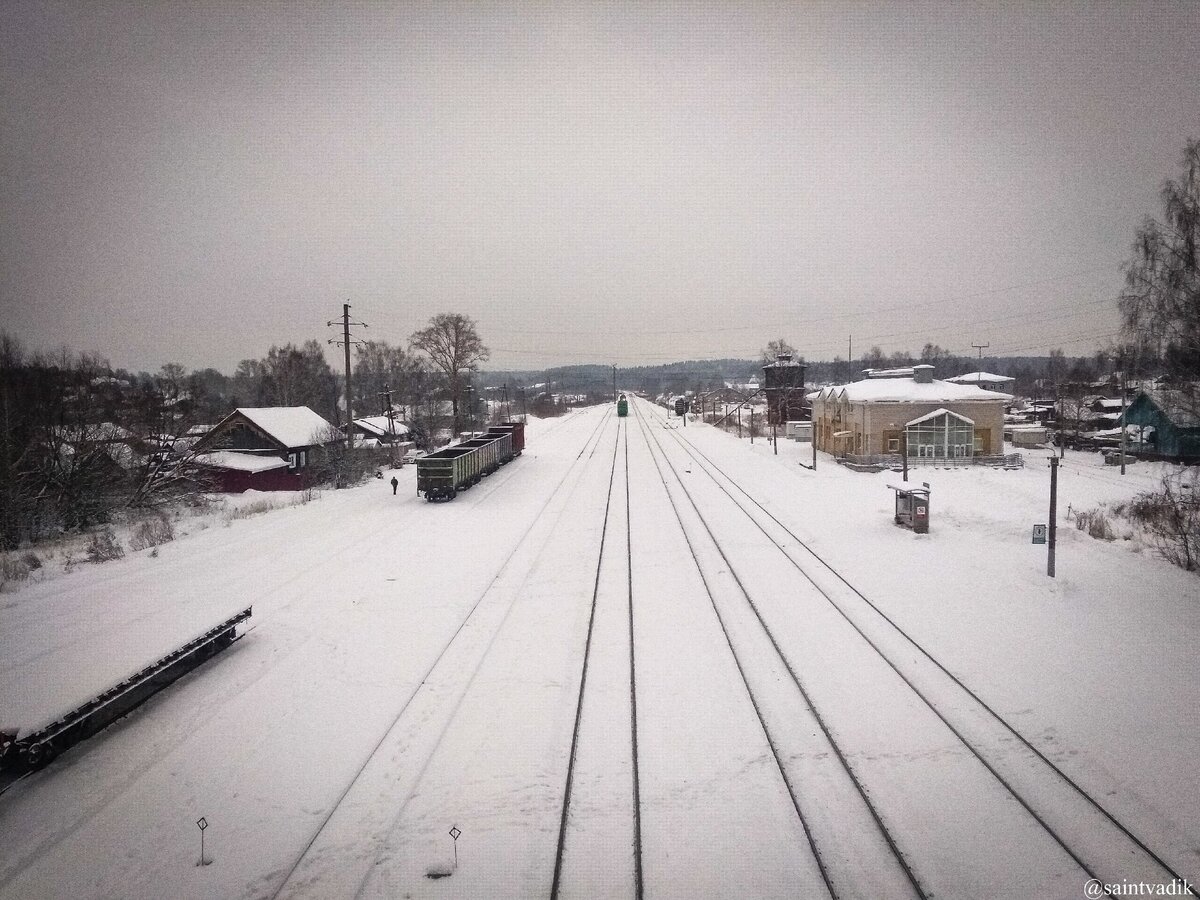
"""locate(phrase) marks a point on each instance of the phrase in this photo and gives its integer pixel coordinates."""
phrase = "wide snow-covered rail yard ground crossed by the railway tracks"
(917, 716)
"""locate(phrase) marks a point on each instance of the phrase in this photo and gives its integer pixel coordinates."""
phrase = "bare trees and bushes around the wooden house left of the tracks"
(82, 440)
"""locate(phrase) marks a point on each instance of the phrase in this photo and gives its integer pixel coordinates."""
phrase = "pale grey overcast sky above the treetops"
(593, 183)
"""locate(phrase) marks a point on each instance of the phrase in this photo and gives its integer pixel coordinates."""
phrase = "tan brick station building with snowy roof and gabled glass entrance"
(927, 418)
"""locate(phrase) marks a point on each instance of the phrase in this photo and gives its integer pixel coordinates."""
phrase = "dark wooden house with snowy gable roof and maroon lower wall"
(265, 449)
